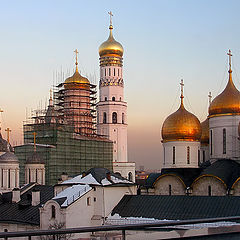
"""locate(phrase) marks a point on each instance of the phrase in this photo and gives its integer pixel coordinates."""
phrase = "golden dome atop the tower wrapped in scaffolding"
(76, 81)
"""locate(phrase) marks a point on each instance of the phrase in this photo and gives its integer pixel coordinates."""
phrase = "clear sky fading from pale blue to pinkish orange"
(164, 41)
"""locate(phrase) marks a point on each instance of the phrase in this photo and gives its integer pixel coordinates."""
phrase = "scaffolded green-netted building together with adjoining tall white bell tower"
(75, 132)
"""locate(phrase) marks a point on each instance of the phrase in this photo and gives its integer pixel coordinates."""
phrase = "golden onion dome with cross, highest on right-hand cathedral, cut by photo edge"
(228, 102)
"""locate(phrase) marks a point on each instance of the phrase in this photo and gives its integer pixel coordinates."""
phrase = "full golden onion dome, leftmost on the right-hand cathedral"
(181, 126)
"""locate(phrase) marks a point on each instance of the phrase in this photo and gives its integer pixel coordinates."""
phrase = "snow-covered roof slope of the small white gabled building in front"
(72, 194)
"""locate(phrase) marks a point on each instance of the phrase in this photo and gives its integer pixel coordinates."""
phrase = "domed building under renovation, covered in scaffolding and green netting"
(65, 132)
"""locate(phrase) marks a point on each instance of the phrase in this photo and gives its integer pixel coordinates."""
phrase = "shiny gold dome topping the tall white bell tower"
(111, 46)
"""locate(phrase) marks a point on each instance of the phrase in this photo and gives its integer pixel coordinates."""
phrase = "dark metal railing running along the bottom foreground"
(123, 228)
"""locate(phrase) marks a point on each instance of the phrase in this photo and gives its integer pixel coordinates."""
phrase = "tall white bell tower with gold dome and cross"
(112, 107)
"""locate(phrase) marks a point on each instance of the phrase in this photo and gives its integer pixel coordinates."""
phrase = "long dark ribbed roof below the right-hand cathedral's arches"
(177, 207)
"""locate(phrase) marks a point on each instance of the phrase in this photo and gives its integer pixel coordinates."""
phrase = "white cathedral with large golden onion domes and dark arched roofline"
(201, 158)
